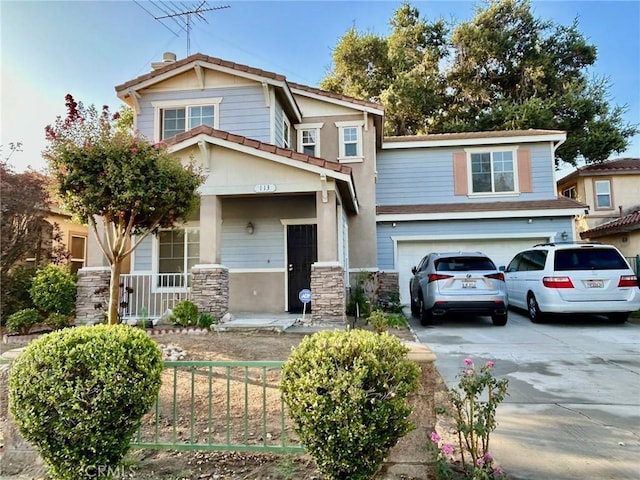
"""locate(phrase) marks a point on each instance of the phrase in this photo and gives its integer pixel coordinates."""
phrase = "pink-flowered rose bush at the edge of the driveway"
(474, 400)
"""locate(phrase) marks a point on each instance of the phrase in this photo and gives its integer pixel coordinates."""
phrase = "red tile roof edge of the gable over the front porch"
(260, 146)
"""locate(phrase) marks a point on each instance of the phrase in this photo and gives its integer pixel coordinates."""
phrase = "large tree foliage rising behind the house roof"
(504, 69)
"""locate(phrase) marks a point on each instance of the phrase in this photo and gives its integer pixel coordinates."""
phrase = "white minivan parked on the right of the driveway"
(572, 278)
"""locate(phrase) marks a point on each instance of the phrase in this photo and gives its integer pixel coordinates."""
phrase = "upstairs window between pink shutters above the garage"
(493, 171)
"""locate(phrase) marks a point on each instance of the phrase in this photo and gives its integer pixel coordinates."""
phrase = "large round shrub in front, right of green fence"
(346, 393)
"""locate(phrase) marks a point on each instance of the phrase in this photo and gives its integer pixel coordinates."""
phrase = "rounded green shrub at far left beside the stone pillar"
(54, 290)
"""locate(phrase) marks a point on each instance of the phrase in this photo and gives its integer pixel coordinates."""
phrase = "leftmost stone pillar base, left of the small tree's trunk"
(92, 297)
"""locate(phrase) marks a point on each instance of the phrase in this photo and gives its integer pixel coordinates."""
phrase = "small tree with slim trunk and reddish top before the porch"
(110, 176)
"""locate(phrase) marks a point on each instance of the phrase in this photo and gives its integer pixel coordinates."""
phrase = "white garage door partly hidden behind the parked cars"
(500, 250)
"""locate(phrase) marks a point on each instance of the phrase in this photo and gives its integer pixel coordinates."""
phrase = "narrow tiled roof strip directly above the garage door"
(555, 204)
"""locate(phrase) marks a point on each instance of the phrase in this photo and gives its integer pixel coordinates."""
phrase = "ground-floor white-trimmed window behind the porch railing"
(178, 251)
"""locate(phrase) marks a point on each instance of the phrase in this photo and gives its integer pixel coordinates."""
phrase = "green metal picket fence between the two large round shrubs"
(219, 405)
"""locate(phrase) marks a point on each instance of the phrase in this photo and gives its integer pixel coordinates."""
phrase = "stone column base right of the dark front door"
(328, 302)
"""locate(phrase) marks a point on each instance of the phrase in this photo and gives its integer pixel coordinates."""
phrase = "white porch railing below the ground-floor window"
(151, 295)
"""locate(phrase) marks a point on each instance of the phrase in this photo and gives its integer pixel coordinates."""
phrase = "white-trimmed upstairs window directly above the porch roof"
(177, 116)
